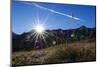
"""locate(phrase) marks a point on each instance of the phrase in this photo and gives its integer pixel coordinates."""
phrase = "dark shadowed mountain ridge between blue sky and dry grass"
(26, 41)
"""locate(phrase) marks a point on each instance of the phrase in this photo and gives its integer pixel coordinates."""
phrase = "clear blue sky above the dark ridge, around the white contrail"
(24, 14)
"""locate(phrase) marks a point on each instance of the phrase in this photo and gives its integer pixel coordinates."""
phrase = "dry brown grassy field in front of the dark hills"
(71, 52)
